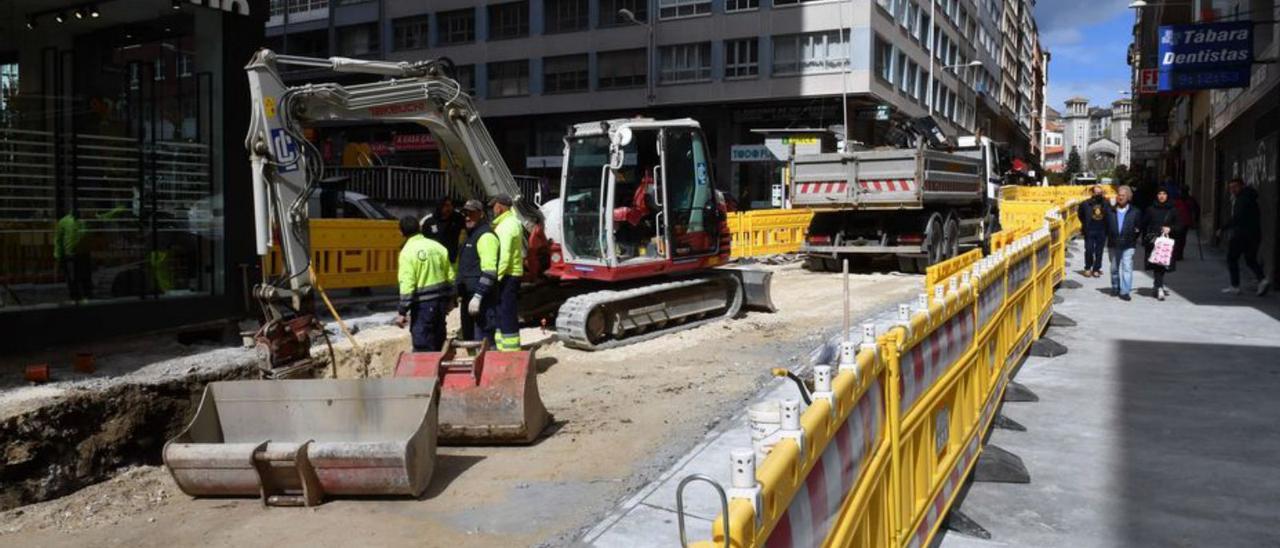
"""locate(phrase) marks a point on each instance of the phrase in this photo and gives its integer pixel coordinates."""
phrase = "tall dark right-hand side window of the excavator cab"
(692, 212)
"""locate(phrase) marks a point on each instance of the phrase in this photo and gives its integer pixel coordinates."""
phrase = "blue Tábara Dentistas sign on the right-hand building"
(1205, 57)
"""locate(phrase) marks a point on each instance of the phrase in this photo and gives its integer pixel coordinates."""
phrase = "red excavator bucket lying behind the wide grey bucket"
(487, 398)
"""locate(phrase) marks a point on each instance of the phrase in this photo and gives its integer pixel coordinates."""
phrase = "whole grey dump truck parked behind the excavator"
(920, 204)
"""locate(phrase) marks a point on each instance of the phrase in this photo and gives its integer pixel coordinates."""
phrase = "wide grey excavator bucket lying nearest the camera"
(295, 442)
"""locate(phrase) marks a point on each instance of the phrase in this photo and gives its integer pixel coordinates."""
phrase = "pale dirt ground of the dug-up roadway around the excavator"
(621, 417)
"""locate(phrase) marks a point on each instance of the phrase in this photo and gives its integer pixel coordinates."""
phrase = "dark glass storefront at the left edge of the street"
(124, 204)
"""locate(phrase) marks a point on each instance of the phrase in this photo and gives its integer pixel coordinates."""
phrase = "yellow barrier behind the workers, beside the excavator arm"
(351, 253)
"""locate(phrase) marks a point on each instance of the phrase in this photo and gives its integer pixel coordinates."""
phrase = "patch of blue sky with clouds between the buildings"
(1087, 42)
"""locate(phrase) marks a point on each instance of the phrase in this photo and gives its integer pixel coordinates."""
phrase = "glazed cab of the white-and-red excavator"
(638, 193)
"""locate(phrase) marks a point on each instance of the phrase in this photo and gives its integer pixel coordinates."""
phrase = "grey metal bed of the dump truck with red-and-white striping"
(886, 180)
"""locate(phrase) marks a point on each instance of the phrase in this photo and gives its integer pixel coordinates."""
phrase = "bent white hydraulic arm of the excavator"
(287, 168)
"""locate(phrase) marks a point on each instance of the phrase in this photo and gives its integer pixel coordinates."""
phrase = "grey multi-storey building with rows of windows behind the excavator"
(540, 66)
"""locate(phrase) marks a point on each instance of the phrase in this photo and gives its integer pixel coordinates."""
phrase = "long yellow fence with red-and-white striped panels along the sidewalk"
(895, 430)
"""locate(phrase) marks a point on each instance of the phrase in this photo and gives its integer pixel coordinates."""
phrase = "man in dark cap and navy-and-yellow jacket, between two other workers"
(478, 276)
